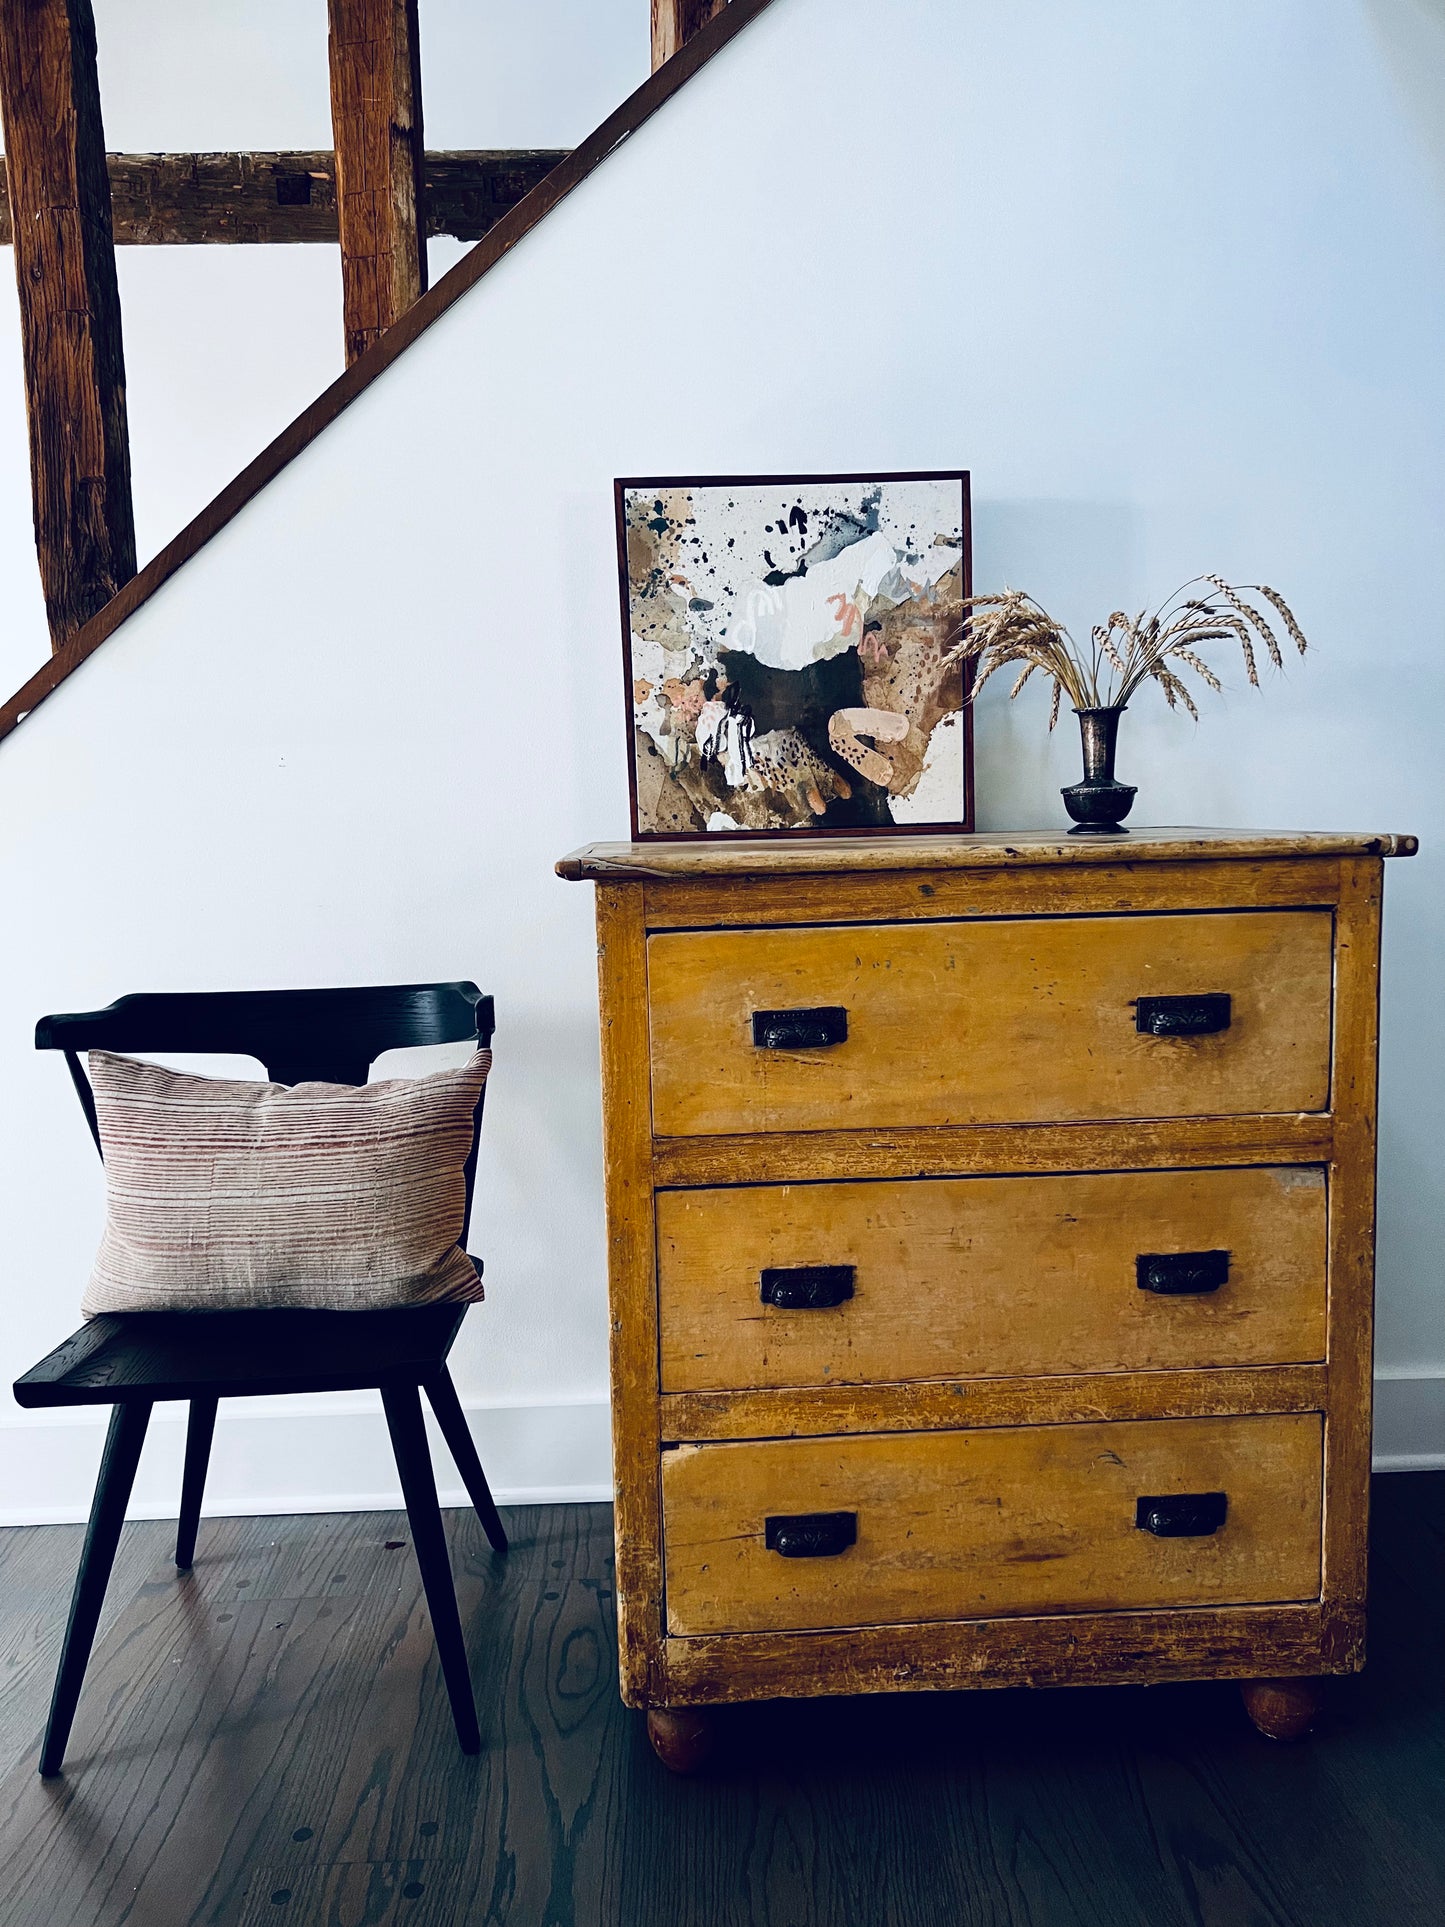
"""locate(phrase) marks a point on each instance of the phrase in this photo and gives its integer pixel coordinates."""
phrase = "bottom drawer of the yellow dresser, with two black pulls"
(795, 1535)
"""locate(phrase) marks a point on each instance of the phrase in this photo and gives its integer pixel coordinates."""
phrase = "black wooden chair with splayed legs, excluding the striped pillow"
(130, 1361)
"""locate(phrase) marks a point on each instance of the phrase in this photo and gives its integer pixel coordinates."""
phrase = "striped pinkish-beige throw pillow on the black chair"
(226, 1196)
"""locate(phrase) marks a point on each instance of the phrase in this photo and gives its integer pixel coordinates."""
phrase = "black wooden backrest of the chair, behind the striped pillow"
(300, 1036)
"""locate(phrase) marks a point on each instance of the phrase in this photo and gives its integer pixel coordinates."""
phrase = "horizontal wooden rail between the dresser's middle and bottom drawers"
(947, 1404)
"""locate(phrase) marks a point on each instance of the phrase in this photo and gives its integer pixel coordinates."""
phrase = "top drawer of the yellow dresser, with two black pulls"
(989, 1022)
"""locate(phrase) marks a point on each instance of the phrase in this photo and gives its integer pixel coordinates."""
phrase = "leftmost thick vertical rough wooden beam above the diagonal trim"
(68, 305)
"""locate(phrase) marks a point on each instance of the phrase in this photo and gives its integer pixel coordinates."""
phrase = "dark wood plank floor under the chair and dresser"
(269, 1741)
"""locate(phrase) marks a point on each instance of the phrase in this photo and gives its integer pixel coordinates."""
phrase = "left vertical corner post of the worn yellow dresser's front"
(633, 1290)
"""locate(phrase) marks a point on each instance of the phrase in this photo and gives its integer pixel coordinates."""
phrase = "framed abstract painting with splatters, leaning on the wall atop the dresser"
(789, 654)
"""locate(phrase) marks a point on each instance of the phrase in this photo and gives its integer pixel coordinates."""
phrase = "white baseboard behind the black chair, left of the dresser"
(327, 1456)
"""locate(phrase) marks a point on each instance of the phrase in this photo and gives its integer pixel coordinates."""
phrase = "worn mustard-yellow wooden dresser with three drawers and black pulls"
(991, 1261)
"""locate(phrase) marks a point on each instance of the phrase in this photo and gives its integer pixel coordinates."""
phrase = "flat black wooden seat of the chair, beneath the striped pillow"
(180, 1356)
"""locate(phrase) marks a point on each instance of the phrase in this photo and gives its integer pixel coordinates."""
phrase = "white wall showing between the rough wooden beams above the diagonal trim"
(224, 346)
